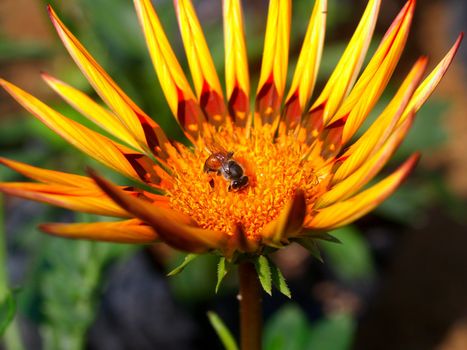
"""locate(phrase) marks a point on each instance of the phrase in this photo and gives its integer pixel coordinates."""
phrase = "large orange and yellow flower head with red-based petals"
(297, 174)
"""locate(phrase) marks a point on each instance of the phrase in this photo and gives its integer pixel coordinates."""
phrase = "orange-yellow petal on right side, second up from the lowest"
(367, 171)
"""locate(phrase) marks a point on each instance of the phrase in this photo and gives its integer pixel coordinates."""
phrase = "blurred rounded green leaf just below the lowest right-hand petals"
(352, 259)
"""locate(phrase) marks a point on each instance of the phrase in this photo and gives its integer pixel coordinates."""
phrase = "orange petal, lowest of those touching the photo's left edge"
(72, 198)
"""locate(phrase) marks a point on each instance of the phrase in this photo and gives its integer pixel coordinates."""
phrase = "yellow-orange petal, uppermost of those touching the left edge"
(88, 141)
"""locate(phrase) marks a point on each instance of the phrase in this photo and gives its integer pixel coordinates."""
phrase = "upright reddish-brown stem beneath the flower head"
(250, 307)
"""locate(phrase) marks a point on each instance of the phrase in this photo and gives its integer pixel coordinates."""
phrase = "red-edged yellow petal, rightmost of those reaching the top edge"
(375, 77)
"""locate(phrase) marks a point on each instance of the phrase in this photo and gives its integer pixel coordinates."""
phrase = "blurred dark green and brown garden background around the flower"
(398, 281)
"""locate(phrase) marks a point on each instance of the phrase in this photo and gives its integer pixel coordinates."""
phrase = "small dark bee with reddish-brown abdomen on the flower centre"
(221, 162)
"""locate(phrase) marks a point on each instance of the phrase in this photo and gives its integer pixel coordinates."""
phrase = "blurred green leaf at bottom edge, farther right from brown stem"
(335, 332)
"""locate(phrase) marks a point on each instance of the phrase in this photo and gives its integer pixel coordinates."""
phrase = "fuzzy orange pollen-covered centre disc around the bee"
(276, 169)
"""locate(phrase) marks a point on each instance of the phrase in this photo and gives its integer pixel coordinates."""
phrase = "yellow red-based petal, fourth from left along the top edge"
(274, 65)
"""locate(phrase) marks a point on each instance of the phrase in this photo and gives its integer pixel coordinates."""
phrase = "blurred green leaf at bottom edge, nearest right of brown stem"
(287, 329)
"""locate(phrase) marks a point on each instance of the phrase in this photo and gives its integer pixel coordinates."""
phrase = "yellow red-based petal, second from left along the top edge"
(205, 79)
